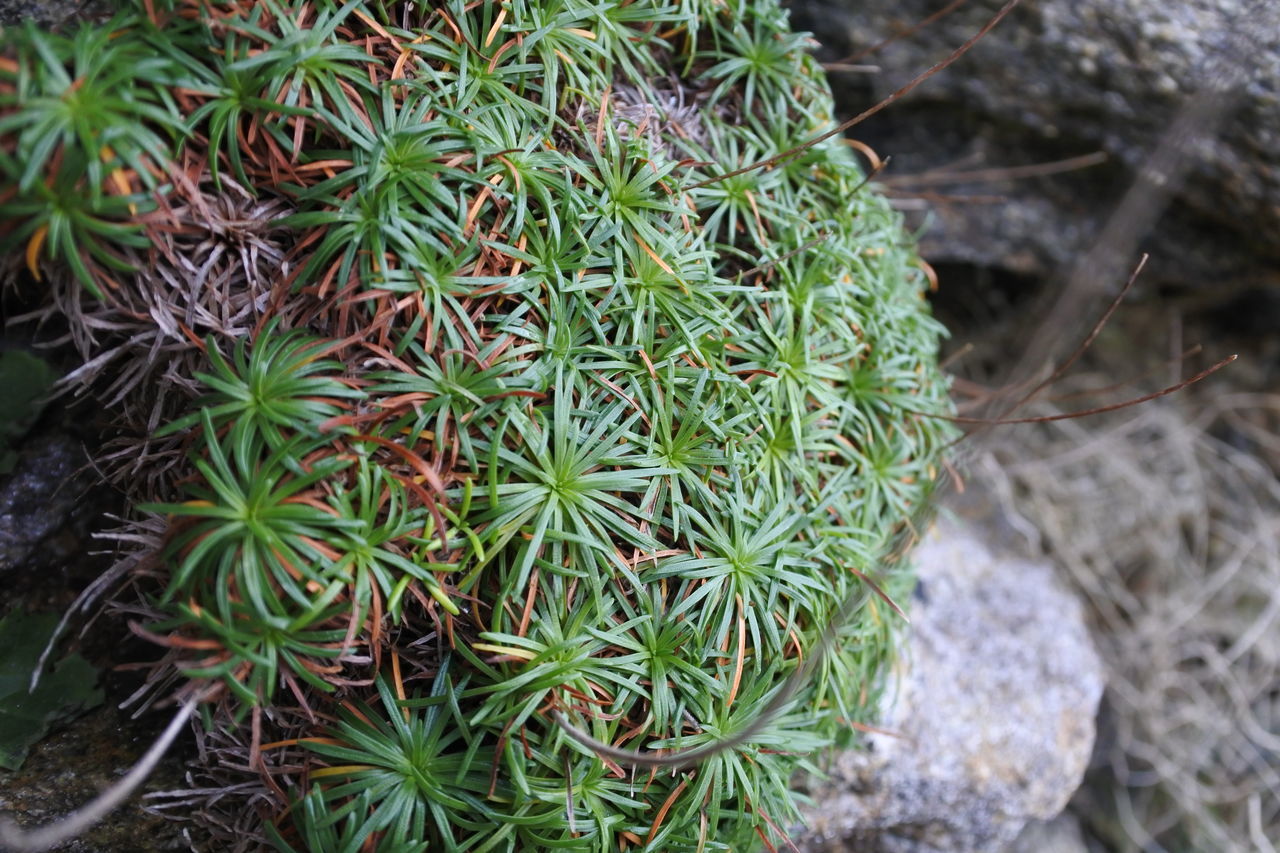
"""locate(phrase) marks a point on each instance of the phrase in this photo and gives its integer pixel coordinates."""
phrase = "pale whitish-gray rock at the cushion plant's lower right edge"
(994, 717)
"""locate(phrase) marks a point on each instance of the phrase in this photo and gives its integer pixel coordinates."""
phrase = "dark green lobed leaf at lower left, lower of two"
(63, 695)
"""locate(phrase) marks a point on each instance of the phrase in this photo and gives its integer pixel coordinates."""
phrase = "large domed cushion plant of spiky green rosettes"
(495, 408)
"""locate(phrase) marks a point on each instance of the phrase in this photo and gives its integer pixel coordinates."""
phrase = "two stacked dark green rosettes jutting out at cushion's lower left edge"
(250, 573)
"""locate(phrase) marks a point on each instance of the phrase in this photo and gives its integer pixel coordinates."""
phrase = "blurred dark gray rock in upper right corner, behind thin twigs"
(1069, 77)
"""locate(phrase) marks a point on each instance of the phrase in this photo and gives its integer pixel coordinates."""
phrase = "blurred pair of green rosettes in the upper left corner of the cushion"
(86, 124)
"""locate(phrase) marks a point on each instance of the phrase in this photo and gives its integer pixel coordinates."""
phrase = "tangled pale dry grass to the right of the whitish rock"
(1167, 521)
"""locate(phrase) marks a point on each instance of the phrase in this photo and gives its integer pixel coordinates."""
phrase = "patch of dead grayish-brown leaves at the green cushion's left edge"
(217, 258)
